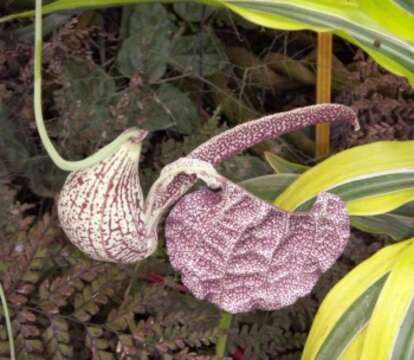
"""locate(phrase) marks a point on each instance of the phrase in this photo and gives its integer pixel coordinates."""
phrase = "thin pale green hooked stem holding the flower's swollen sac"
(63, 164)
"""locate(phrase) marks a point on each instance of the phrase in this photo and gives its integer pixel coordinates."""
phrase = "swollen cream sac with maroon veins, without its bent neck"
(101, 208)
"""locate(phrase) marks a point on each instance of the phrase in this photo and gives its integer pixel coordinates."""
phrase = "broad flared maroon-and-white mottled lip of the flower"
(243, 254)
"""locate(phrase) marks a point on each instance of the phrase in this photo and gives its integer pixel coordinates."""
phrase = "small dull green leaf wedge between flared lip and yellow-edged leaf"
(267, 187)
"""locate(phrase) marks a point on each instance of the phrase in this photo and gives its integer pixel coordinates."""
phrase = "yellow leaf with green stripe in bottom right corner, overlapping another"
(386, 337)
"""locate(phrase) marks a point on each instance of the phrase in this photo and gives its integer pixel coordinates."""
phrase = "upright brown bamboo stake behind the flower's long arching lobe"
(323, 89)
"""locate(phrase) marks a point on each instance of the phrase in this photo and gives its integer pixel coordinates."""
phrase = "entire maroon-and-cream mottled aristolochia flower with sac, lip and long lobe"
(231, 248)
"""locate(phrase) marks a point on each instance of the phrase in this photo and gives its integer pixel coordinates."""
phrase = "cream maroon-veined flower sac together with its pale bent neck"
(103, 211)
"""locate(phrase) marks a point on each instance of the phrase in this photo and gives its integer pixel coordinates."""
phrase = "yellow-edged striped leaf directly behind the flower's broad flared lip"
(383, 168)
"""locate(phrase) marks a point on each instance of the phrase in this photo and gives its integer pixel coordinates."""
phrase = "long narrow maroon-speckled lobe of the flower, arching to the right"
(231, 142)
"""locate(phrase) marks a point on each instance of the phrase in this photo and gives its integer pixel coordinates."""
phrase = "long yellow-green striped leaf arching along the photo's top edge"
(386, 35)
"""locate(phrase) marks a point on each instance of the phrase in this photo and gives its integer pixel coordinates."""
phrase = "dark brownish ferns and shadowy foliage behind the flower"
(185, 72)
